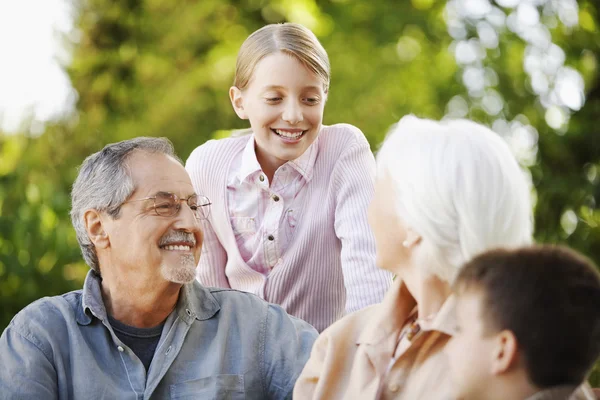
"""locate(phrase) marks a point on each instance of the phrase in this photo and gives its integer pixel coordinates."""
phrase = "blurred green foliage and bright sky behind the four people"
(76, 75)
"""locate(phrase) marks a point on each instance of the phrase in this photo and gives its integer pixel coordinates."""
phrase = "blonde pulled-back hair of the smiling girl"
(289, 38)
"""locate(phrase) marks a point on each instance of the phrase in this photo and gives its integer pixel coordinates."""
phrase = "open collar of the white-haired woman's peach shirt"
(397, 305)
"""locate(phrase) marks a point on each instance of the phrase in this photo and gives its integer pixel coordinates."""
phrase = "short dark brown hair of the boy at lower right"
(549, 297)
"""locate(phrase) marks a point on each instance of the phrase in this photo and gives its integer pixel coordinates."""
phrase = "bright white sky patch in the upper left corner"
(35, 39)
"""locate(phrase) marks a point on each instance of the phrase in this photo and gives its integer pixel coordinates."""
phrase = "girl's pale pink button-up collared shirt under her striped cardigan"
(261, 211)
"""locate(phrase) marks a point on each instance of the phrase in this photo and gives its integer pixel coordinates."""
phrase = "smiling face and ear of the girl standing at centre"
(284, 103)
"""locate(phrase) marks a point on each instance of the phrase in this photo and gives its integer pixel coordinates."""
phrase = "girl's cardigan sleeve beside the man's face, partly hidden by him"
(213, 259)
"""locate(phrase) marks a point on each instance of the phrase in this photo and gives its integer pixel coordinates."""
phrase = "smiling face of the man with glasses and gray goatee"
(156, 247)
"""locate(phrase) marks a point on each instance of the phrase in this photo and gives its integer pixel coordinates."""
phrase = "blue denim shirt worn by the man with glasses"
(217, 343)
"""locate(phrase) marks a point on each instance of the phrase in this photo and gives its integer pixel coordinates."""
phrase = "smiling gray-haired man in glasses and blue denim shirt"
(142, 327)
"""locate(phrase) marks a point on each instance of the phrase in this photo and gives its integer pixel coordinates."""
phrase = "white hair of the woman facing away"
(459, 187)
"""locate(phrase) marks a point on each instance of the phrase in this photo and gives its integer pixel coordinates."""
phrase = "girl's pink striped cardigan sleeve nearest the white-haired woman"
(353, 178)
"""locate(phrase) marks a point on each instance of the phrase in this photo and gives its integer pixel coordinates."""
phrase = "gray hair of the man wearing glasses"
(104, 184)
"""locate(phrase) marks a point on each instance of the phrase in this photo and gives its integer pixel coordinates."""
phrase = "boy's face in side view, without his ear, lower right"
(471, 350)
